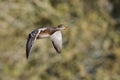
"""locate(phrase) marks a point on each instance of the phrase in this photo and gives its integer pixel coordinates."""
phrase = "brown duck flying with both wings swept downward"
(49, 31)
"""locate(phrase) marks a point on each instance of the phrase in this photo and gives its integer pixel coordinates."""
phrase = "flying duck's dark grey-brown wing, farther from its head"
(31, 38)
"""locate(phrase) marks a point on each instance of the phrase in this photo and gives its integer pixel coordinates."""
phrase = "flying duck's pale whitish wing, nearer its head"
(57, 41)
